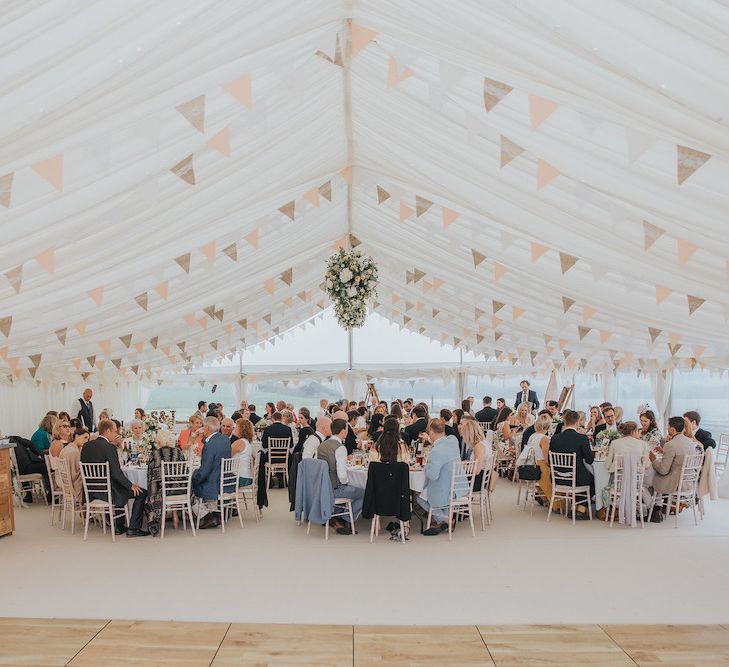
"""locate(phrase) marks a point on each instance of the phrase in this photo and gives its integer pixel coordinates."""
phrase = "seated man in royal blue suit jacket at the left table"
(206, 479)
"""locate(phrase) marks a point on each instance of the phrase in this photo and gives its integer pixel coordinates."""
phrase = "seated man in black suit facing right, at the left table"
(103, 450)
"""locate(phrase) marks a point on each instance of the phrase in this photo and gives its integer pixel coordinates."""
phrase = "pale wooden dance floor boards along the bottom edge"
(147, 643)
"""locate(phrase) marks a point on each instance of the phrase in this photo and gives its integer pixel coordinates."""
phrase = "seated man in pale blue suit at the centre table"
(438, 472)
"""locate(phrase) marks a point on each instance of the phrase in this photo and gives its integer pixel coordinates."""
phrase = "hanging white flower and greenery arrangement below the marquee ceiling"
(350, 281)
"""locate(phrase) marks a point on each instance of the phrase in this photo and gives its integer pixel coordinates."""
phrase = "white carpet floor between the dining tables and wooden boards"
(520, 570)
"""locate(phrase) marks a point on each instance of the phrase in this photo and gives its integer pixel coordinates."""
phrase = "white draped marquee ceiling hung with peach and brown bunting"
(544, 185)
